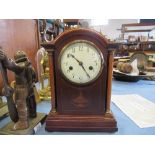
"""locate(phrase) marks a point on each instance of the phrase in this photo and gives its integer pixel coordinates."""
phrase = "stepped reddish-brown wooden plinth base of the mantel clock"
(57, 122)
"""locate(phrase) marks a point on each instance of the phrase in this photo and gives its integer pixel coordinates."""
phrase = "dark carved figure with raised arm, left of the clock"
(25, 103)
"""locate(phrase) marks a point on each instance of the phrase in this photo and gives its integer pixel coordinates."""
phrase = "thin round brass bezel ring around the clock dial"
(80, 41)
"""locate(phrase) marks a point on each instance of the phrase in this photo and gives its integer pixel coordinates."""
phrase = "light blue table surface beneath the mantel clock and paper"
(125, 125)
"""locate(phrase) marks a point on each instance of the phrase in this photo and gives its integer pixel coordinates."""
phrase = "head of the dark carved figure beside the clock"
(20, 56)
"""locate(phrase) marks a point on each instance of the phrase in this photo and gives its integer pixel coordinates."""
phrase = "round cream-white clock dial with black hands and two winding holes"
(81, 62)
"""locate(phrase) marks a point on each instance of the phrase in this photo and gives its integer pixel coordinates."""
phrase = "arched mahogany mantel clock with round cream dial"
(81, 75)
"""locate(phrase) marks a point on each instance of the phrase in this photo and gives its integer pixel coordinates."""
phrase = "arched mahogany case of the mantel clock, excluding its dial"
(79, 107)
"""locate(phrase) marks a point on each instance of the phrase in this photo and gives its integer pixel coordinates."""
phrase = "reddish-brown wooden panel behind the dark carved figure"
(19, 34)
